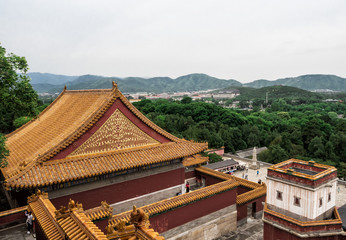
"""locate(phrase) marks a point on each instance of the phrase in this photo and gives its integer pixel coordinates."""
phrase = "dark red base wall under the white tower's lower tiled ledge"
(272, 233)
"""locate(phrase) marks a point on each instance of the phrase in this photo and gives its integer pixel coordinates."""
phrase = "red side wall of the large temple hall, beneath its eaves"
(123, 191)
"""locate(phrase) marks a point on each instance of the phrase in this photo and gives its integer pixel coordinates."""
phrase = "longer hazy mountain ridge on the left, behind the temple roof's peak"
(192, 82)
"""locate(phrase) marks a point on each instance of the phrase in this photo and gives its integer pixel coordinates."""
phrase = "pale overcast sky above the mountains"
(243, 40)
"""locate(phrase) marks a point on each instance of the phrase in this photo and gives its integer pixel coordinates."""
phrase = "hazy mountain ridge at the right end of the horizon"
(307, 82)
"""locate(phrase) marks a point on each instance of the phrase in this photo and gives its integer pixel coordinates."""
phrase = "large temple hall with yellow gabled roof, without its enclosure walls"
(94, 144)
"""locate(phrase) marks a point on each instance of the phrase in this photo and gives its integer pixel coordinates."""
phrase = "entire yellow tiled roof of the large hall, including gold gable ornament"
(71, 115)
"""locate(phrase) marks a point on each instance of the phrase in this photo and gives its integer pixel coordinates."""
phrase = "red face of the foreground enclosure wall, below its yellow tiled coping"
(182, 215)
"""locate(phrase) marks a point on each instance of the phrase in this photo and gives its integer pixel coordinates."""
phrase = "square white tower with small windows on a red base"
(301, 202)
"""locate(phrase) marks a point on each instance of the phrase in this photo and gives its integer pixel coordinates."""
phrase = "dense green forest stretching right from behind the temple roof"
(307, 131)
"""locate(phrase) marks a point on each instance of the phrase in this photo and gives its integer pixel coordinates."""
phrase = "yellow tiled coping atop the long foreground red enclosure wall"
(178, 201)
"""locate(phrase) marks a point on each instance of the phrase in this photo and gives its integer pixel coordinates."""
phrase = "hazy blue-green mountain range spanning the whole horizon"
(51, 83)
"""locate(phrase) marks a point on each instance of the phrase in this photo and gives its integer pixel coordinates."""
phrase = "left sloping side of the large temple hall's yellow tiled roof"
(68, 113)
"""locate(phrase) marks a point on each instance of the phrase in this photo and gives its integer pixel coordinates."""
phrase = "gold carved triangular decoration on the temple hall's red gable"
(118, 132)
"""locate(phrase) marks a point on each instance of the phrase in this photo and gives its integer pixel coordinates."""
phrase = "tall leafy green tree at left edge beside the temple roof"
(17, 97)
